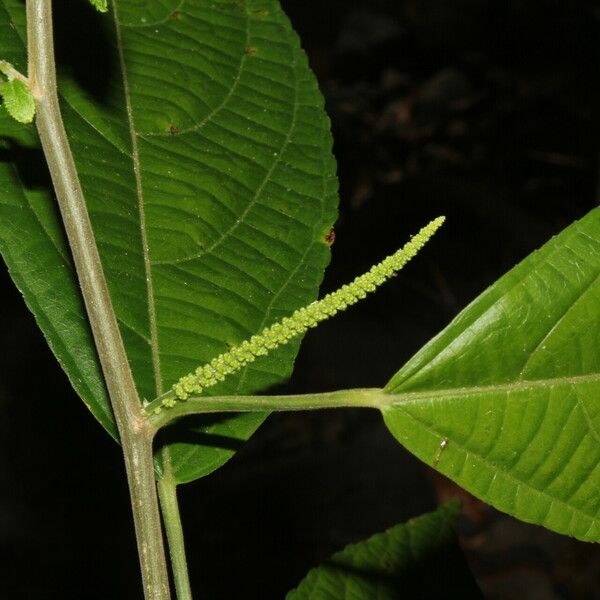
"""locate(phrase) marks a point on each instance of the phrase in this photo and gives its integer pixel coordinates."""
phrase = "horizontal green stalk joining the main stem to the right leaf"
(360, 398)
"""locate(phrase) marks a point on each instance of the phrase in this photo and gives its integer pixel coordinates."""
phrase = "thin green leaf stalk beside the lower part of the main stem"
(167, 492)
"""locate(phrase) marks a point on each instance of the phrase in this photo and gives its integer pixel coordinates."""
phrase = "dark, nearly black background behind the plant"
(486, 112)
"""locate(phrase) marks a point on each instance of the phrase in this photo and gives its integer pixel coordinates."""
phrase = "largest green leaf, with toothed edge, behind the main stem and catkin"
(205, 156)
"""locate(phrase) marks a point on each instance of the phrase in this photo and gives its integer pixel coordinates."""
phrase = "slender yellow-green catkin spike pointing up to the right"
(299, 322)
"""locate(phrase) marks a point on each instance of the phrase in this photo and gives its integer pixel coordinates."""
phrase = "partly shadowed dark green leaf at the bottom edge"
(417, 559)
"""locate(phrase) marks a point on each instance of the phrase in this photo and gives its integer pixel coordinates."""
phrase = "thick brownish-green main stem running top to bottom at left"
(135, 432)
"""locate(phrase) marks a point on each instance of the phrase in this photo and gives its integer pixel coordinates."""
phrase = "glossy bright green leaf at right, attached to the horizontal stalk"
(506, 400)
